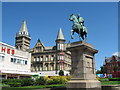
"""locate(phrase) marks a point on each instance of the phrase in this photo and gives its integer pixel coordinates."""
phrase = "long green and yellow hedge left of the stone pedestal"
(38, 81)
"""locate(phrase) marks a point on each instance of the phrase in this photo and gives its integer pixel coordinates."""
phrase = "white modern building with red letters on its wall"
(14, 63)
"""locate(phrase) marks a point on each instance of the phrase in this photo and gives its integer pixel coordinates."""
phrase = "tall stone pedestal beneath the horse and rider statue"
(83, 67)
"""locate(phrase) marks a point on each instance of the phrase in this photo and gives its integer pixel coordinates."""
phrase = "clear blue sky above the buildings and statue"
(44, 19)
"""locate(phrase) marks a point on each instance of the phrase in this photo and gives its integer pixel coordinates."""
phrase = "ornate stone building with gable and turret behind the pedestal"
(49, 60)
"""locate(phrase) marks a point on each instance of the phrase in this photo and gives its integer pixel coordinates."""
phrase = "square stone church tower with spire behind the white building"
(23, 38)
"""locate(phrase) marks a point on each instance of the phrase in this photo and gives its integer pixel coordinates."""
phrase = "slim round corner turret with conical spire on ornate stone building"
(60, 50)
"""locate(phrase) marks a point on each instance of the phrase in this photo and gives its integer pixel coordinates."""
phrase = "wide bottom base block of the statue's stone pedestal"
(84, 85)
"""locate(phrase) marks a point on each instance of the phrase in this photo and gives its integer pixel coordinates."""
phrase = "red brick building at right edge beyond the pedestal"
(111, 63)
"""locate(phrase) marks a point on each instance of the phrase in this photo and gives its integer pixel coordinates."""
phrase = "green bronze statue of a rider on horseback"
(78, 27)
